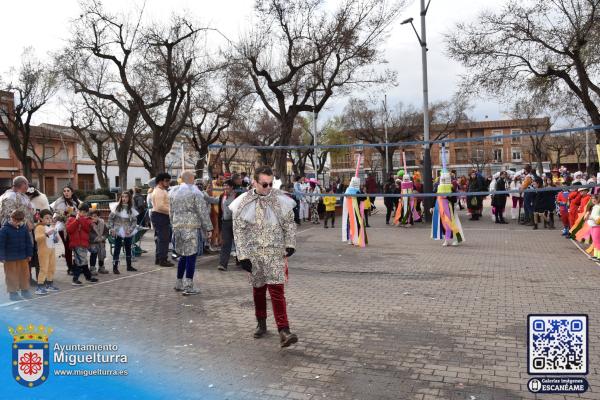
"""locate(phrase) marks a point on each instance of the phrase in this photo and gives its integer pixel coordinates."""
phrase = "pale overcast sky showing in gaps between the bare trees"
(44, 25)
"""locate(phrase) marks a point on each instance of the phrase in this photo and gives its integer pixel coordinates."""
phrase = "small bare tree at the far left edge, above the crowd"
(32, 85)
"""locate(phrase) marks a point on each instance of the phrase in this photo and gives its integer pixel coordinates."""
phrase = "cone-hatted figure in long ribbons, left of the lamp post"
(353, 213)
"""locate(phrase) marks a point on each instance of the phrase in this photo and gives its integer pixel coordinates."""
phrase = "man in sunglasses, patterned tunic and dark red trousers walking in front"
(265, 237)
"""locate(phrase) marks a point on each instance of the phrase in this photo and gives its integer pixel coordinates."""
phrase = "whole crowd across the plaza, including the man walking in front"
(255, 221)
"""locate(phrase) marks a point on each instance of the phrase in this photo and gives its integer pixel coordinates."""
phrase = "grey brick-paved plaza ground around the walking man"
(402, 319)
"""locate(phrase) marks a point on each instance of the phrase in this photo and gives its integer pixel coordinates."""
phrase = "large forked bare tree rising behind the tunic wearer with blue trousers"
(155, 68)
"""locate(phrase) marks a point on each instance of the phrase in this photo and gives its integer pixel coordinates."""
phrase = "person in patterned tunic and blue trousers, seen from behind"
(189, 213)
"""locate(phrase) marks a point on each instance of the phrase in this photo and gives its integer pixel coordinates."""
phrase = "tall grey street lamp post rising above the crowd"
(427, 179)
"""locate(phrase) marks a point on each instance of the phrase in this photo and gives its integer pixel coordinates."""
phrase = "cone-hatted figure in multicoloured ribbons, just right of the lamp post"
(445, 222)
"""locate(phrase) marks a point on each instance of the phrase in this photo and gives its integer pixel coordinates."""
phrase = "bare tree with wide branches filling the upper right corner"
(546, 47)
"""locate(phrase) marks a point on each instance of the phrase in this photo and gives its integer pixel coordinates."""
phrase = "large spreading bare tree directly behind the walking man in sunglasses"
(300, 54)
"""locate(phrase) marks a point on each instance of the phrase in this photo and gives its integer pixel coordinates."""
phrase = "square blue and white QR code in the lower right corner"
(557, 344)
